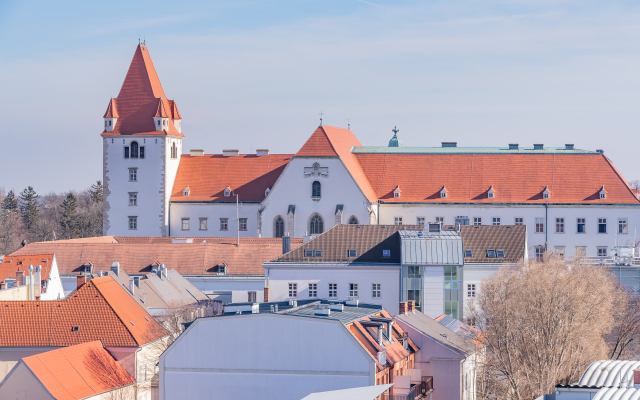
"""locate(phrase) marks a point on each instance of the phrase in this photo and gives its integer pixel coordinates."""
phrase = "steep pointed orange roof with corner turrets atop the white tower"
(139, 99)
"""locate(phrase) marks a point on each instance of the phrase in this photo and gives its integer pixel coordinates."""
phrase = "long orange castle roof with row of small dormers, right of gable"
(516, 178)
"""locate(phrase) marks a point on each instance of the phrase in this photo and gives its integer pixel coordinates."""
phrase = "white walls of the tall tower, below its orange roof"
(138, 188)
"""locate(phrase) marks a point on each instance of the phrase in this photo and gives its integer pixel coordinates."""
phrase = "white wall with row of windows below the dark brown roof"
(364, 276)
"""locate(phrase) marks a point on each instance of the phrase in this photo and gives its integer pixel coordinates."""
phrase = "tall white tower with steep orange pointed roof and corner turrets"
(142, 144)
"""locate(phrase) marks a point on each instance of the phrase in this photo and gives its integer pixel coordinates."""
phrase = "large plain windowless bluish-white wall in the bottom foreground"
(263, 356)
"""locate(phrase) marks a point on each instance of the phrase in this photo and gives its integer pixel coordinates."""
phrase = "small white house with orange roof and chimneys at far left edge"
(30, 277)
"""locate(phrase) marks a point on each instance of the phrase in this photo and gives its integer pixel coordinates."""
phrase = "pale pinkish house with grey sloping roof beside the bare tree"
(448, 353)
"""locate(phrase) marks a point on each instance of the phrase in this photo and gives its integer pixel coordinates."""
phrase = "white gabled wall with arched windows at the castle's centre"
(293, 188)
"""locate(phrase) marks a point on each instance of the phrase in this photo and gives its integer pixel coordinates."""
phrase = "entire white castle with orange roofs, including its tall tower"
(572, 200)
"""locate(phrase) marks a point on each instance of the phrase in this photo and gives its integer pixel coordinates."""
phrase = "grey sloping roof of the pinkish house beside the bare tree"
(437, 332)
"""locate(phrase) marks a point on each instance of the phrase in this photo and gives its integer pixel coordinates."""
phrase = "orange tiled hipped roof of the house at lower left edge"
(101, 309)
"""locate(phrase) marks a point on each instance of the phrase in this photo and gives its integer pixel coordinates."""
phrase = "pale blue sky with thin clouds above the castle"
(255, 74)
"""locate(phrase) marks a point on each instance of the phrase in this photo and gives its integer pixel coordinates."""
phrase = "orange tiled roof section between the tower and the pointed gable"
(247, 175)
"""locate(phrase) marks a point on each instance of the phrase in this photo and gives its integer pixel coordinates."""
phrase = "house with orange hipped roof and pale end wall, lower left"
(98, 310)
